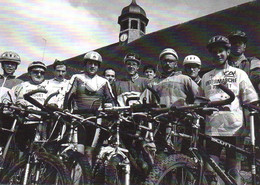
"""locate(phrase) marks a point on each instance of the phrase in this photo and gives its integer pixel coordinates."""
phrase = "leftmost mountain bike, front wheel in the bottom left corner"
(36, 166)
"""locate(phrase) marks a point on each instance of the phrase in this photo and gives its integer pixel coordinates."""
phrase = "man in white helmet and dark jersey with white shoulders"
(87, 90)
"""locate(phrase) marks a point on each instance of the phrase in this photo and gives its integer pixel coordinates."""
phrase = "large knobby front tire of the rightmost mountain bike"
(174, 169)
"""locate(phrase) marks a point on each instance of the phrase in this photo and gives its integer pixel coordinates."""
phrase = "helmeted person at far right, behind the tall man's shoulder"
(237, 58)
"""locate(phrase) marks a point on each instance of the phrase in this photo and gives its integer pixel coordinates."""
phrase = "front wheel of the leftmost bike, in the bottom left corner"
(48, 169)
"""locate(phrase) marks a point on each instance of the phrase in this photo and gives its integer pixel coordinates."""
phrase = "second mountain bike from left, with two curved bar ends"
(62, 140)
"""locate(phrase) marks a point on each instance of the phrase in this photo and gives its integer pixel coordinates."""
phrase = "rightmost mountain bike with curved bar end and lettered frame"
(190, 169)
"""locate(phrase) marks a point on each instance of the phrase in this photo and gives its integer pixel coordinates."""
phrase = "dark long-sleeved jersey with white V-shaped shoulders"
(87, 92)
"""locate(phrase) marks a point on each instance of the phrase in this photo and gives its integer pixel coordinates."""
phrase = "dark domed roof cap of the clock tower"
(133, 10)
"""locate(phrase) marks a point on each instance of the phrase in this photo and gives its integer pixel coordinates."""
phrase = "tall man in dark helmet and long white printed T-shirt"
(228, 123)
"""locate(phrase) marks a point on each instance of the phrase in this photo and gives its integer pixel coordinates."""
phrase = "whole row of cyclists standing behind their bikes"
(85, 92)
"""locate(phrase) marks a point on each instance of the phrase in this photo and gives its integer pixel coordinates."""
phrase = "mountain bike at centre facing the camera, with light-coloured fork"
(114, 162)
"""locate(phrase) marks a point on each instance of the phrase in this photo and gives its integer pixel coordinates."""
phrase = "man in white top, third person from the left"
(58, 83)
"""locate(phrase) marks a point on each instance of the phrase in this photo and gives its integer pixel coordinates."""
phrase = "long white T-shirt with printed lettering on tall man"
(230, 121)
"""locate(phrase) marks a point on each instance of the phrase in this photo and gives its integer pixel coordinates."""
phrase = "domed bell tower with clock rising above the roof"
(133, 22)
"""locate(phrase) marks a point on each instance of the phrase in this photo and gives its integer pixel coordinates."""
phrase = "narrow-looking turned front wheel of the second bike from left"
(78, 161)
